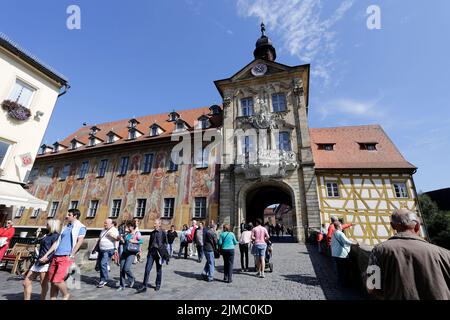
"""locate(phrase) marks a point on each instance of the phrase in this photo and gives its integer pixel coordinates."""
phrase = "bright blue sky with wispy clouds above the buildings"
(155, 56)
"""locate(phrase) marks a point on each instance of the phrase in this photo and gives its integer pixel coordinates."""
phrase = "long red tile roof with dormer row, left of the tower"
(120, 128)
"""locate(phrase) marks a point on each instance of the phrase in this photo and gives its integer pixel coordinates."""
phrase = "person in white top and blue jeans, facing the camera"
(107, 245)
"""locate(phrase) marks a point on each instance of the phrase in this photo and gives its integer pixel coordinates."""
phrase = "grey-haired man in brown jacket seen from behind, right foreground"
(406, 267)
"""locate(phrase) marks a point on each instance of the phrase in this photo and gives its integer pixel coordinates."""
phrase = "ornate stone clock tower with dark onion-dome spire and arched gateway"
(266, 157)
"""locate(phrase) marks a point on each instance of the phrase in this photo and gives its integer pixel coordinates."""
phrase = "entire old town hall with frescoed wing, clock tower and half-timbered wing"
(262, 153)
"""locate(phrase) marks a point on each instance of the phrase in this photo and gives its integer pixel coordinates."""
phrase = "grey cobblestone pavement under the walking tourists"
(300, 273)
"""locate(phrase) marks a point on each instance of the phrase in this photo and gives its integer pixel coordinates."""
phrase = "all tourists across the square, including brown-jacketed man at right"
(405, 266)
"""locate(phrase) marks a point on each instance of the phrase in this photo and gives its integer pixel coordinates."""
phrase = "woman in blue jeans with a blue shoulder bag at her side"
(132, 246)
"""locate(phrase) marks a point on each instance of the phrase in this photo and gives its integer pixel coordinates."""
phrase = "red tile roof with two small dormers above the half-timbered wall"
(347, 154)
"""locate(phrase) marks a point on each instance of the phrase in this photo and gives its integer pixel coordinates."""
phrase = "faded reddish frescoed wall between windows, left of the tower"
(183, 185)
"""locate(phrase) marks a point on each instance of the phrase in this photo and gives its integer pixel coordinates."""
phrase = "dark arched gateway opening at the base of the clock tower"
(256, 197)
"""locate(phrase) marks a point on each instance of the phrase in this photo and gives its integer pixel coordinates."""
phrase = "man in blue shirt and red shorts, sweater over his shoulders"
(65, 248)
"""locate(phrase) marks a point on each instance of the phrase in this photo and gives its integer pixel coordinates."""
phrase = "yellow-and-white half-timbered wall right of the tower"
(367, 200)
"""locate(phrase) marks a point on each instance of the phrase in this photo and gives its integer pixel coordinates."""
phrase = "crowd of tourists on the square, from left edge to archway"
(123, 244)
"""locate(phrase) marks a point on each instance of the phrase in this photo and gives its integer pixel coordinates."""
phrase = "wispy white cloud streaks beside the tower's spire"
(303, 30)
